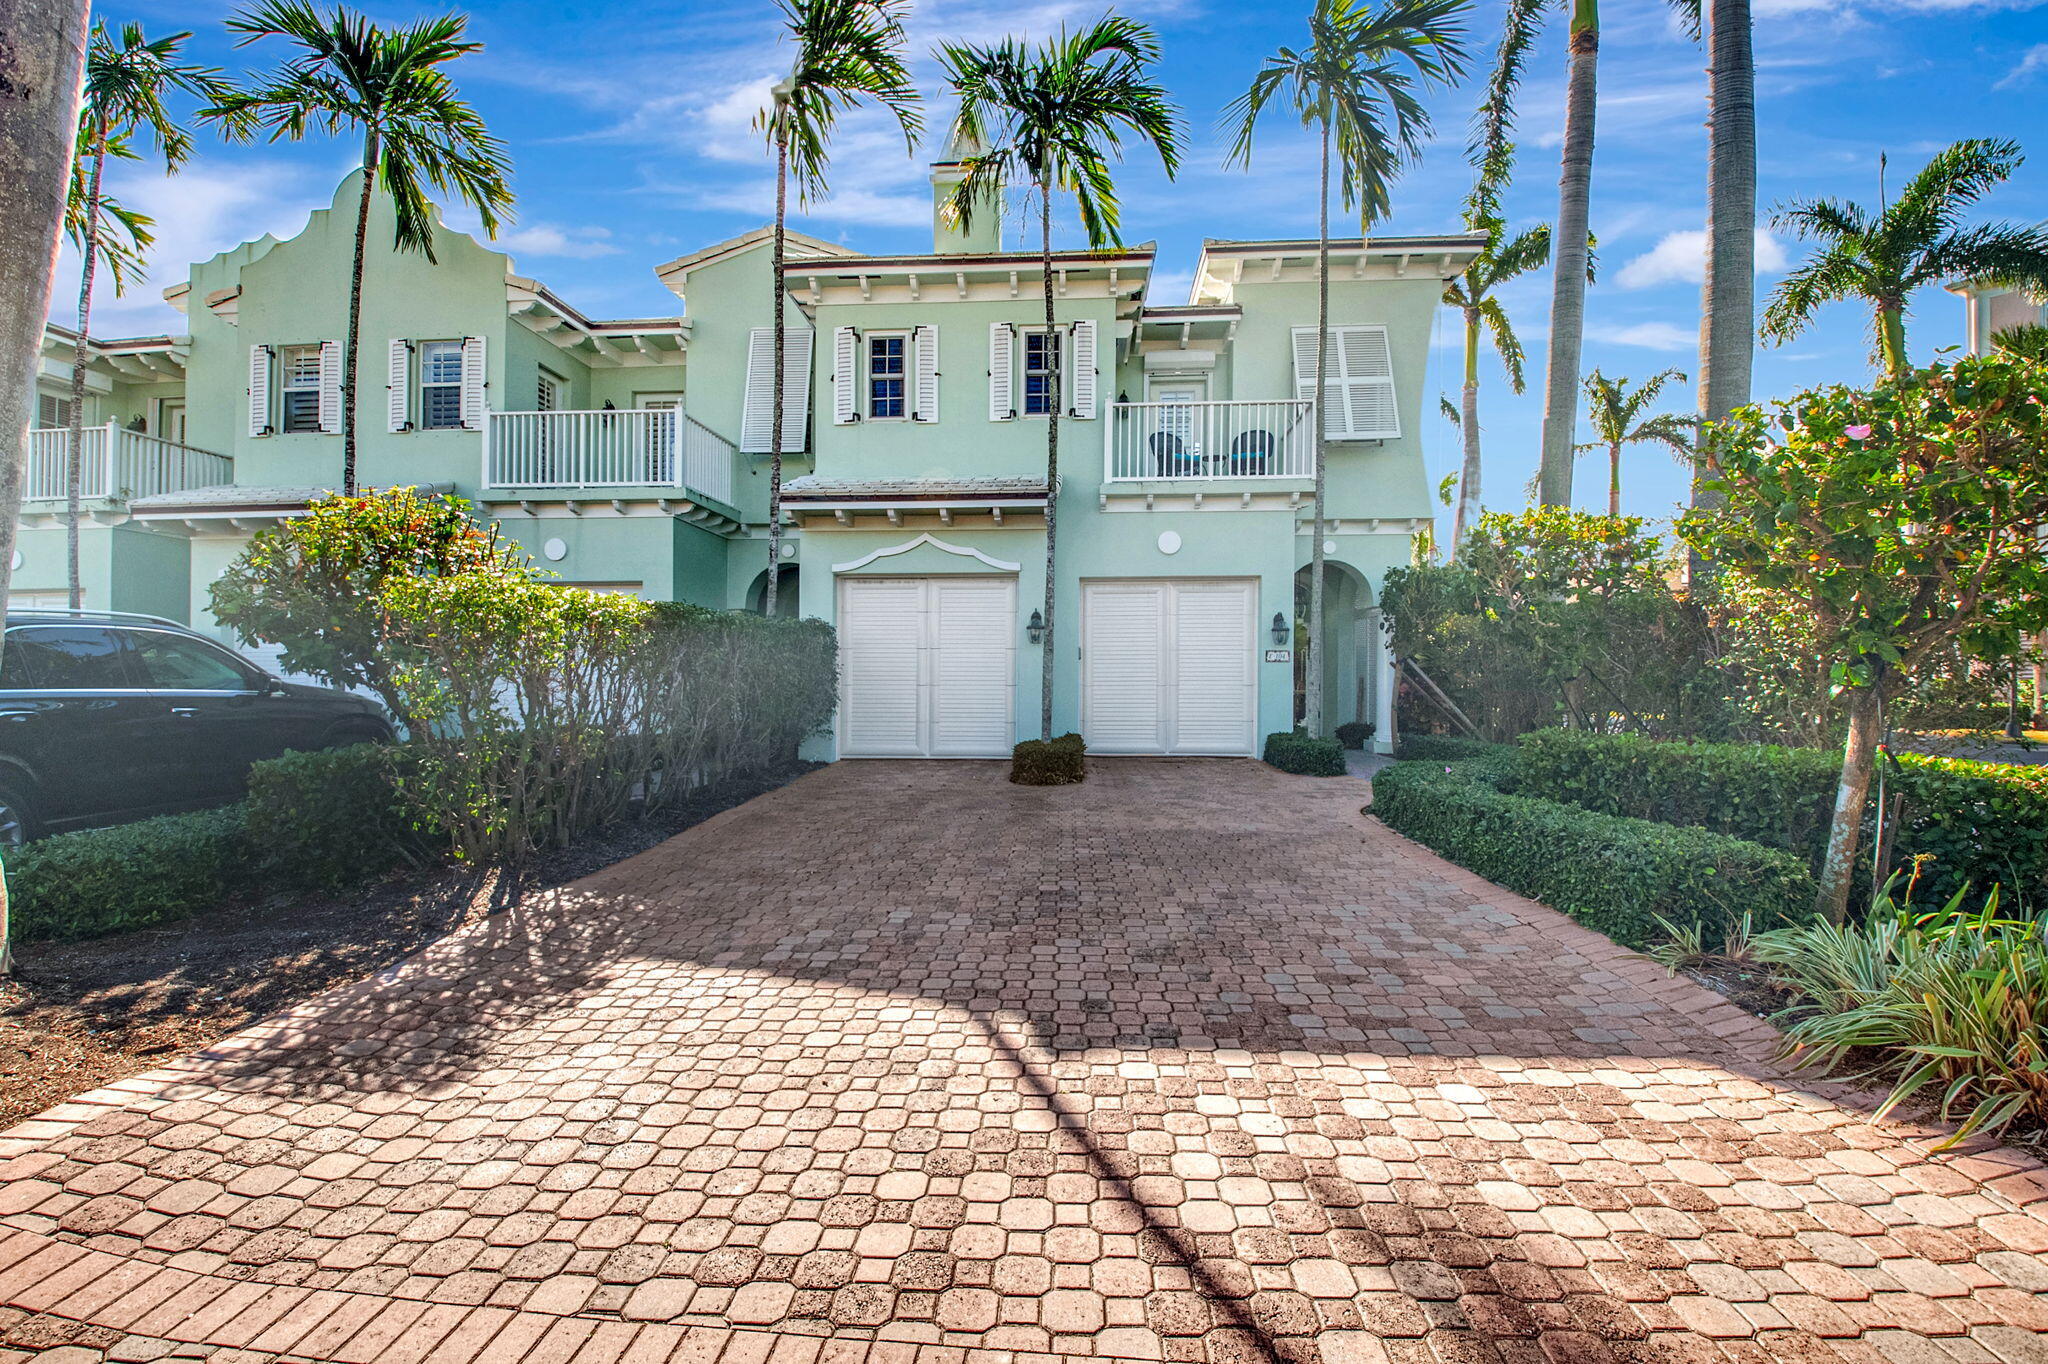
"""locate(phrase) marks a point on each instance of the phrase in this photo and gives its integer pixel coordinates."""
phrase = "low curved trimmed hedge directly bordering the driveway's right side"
(1611, 873)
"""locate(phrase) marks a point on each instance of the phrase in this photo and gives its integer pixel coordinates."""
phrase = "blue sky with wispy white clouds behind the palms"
(630, 126)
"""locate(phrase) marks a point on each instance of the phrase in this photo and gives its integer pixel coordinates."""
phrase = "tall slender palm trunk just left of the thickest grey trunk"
(1568, 296)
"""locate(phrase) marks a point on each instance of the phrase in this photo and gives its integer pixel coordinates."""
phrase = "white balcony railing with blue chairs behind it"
(1209, 441)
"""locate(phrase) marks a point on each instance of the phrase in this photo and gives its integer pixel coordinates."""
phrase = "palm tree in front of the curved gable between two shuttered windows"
(349, 75)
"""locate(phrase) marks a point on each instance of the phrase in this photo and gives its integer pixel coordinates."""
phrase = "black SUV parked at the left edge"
(110, 716)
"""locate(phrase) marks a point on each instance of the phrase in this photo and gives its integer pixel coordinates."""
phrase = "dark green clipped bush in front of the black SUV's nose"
(333, 820)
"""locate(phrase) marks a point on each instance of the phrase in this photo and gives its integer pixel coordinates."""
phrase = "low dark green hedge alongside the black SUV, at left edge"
(101, 882)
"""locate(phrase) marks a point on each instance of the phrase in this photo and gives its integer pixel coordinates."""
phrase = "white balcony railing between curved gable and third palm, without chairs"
(607, 450)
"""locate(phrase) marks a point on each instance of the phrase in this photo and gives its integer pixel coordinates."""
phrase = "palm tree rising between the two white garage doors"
(1056, 118)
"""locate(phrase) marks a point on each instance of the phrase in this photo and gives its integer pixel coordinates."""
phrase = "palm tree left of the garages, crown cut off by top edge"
(847, 52)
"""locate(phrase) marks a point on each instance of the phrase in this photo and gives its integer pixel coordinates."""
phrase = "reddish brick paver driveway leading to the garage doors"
(1191, 1062)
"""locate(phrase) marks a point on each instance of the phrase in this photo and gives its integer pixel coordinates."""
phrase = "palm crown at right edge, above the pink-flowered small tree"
(1916, 241)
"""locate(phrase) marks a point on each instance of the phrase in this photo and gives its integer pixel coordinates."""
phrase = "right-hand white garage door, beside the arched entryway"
(1168, 667)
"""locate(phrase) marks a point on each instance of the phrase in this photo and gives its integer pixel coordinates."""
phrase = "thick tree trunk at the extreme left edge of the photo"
(42, 62)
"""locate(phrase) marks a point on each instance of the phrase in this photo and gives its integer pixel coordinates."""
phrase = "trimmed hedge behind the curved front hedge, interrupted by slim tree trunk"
(1981, 822)
